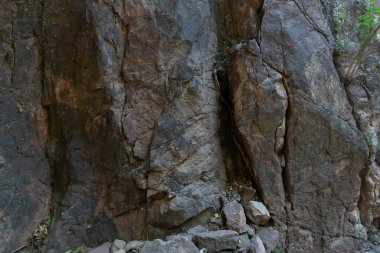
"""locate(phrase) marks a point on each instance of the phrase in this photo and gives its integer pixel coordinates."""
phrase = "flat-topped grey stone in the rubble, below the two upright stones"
(219, 240)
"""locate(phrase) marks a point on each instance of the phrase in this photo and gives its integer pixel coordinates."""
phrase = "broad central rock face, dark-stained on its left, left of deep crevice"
(140, 98)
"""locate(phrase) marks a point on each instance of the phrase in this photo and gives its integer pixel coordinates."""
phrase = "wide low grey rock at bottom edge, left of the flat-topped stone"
(180, 245)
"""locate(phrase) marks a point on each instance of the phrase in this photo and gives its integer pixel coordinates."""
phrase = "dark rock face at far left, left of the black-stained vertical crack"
(24, 169)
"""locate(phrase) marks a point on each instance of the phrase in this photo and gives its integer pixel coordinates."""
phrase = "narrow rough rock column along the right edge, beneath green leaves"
(361, 103)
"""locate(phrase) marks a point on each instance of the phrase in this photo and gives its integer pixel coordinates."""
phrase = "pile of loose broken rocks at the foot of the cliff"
(227, 231)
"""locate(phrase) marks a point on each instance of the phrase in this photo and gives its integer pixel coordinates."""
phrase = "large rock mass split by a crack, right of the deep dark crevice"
(308, 110)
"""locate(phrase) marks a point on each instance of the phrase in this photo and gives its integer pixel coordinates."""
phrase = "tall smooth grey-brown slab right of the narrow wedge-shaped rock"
(291, 43)
